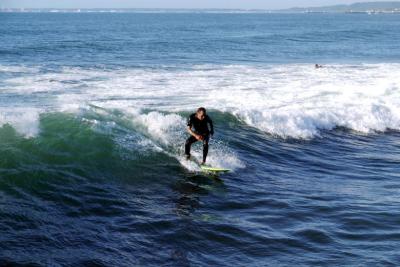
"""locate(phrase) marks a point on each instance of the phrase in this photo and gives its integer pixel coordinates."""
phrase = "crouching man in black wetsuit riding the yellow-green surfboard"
(200, 127)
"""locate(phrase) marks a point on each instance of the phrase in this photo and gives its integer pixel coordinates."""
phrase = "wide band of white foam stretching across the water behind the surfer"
(294, 100)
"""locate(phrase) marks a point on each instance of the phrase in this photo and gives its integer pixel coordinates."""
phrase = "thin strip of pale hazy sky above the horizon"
(262, 4)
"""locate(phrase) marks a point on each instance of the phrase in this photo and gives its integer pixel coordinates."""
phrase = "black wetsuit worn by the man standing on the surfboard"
(201, 128)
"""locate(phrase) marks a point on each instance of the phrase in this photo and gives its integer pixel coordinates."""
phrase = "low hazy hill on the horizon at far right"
(356, 7)
